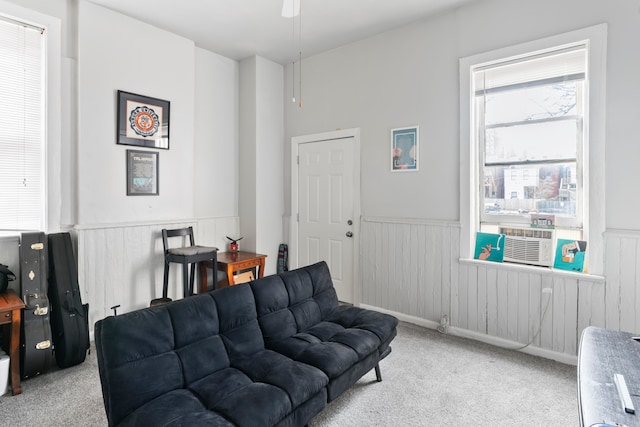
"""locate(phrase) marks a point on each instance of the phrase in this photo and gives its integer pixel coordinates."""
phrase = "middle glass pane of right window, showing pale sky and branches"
(540, 141)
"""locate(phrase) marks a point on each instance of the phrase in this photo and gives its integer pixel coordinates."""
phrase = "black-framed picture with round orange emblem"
(143, 121)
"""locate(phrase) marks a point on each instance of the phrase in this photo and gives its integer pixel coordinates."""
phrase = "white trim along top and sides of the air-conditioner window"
(594, 167)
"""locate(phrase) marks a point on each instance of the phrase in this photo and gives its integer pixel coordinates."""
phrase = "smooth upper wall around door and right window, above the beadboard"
(409, 76)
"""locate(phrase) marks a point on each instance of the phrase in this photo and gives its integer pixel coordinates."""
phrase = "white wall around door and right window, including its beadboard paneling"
(409, 76)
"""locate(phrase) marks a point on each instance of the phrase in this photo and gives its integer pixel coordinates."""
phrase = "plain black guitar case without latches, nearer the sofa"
(69, 317)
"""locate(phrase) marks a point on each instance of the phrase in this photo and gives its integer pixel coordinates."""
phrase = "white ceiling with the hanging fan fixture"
(241, 28)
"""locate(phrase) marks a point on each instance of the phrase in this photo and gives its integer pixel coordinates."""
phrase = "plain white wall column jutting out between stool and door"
(261, 158)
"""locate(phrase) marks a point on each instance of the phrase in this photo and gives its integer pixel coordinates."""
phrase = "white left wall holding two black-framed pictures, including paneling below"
(119, 246)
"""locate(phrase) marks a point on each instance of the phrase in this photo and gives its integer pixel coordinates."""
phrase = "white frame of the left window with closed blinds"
(53, 206)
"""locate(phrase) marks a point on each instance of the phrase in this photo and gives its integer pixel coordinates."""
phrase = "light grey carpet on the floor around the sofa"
(429, 379)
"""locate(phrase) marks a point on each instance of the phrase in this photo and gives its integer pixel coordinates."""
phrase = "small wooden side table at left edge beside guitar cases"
(11, 314)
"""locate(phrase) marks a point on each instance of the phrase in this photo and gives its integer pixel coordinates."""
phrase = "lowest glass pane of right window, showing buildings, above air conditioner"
(525, 189)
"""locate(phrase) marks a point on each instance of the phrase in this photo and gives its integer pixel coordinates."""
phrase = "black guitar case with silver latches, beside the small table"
(36, 347)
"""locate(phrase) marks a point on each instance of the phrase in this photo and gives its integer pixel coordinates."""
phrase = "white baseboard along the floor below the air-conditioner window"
(567, 359)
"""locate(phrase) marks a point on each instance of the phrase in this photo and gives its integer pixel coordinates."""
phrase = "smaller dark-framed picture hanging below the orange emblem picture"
(142, 173)
